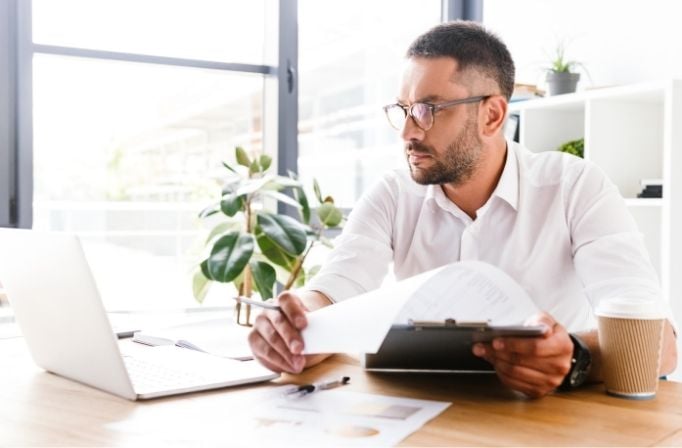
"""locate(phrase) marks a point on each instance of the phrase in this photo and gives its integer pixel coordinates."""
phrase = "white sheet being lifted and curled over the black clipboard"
(465, 291)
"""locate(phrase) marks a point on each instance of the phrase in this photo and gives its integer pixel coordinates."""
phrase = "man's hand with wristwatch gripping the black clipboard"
(534, 366)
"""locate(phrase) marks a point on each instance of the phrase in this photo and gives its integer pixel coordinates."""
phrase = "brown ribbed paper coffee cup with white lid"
(630, 341)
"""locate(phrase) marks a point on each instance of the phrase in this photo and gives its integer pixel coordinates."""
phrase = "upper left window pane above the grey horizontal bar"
(193, 29)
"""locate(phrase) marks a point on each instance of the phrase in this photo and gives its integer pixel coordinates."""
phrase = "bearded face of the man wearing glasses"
(450, 151)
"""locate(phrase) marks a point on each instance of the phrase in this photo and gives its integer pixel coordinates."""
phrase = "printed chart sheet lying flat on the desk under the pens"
(266, 417)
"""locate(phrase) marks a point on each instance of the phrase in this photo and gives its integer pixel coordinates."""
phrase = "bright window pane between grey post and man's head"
(351, 55)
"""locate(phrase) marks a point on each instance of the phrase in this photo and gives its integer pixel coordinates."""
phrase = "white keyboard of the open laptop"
(147, 375)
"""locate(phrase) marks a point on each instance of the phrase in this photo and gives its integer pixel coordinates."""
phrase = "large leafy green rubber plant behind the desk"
(255, 248)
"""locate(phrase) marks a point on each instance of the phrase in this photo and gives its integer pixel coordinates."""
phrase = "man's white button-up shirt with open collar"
(554, 223)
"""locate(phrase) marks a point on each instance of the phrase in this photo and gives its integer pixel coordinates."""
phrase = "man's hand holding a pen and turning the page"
(276, 340)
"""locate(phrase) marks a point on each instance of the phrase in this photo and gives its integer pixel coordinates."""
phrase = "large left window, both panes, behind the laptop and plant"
(126, 153)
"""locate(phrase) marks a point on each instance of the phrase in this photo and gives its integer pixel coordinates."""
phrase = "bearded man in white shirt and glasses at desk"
(551, 221)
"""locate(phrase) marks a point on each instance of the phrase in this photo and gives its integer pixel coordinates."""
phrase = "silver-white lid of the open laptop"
(58, 308)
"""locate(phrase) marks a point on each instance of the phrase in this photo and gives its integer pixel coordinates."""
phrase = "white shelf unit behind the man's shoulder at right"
(632, 133)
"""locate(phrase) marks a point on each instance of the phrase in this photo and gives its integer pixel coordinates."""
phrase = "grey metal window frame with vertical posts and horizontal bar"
(280, 97)
